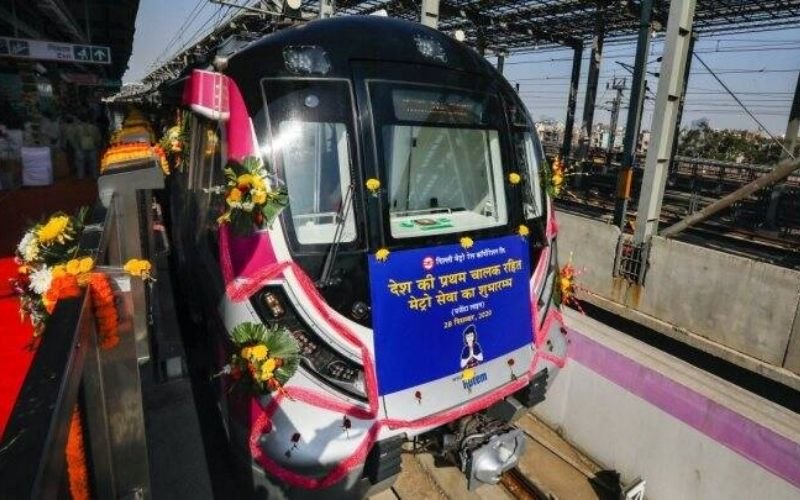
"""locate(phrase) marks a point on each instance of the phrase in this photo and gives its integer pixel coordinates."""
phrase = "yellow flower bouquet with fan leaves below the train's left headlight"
(264, 358)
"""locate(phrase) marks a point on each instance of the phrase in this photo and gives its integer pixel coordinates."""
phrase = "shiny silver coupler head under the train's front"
(487, 463)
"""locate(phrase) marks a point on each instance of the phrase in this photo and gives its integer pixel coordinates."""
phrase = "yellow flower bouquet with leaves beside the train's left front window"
(249, 202)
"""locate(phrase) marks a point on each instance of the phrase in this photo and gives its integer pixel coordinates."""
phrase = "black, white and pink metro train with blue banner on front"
(415, 262)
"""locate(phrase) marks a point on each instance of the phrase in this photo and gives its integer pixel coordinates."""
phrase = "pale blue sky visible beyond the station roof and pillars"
(760, 68)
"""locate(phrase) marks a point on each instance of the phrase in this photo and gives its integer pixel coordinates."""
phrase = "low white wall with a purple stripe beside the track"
(688, 434)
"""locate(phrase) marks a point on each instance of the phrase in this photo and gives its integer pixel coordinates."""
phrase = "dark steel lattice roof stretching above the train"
(499, 26)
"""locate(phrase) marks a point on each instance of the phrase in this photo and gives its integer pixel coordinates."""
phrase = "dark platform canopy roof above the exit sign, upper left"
(108, 23)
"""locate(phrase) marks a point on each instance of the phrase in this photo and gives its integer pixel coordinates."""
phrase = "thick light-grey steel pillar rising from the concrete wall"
(668, 99)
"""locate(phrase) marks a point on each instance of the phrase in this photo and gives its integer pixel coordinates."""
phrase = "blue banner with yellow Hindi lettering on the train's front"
(440, 310)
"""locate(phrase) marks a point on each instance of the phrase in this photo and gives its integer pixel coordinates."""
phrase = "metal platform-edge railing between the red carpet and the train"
(72, 369)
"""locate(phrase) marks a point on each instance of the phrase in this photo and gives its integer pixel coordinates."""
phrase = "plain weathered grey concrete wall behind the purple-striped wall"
(732, 306)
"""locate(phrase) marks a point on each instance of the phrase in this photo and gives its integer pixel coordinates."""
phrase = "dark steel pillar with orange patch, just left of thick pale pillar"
(625, 173)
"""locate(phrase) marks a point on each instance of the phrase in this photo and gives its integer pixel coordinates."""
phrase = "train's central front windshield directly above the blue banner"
(440, 150)
